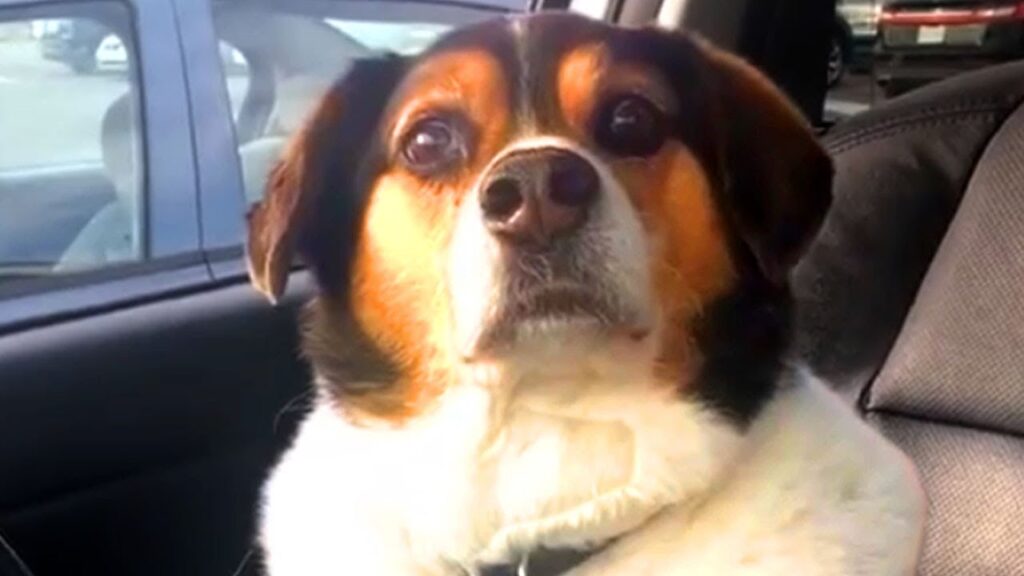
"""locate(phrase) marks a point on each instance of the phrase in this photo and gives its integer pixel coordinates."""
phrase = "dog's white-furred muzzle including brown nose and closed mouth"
(546, 253)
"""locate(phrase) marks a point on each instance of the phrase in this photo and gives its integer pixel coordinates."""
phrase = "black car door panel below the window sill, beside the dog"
(145, 434)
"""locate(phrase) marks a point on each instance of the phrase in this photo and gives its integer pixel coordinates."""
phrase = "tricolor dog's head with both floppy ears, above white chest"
(544, 188)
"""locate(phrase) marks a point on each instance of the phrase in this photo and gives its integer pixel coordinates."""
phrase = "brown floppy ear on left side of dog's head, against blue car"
(314, 196)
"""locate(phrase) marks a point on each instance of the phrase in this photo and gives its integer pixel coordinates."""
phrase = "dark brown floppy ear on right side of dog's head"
(778, 179)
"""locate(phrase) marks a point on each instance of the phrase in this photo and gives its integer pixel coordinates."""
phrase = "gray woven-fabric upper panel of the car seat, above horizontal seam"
(961, 355)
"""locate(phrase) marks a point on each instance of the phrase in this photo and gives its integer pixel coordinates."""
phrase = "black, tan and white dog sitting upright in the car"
(553, 318)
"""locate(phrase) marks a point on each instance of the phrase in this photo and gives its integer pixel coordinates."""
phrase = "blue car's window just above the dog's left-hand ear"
(295, 51)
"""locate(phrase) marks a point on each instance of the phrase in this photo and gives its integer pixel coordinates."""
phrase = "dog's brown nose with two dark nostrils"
(534, 197)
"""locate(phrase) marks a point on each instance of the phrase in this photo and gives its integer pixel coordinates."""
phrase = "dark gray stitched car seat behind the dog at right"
(912, 303)
